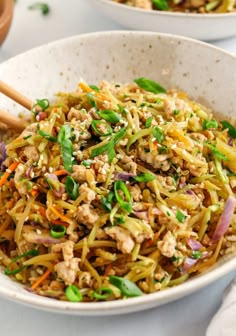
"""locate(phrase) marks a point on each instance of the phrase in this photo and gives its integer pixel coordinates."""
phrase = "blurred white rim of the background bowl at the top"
(164, 13)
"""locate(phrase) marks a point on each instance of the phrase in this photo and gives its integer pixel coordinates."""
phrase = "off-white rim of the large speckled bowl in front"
(132, 304)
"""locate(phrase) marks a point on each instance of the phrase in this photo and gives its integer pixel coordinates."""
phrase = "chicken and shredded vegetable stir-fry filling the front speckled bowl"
(116, 191)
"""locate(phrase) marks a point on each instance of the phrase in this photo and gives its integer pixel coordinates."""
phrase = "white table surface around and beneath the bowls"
(189, 316)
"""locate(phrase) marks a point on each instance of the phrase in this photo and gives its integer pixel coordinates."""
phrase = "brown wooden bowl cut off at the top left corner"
(6, 14)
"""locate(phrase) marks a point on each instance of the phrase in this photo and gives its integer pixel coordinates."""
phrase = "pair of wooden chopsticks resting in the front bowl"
(8, 119)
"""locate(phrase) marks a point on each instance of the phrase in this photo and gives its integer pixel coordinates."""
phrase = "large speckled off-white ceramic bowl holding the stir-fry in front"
(206, 73)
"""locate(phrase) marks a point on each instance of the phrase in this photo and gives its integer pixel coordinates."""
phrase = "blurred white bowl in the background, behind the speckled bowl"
(204, 27)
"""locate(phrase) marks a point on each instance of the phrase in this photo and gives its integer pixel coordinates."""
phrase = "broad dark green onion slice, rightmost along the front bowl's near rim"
(127, 287)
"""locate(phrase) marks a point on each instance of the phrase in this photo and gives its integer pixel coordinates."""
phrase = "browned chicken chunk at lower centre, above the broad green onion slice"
(124, 241)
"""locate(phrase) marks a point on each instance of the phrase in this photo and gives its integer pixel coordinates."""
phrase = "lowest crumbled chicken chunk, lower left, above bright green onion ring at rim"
(67, 270)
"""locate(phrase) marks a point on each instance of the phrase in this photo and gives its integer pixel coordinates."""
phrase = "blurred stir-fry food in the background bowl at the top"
(191, 6)
